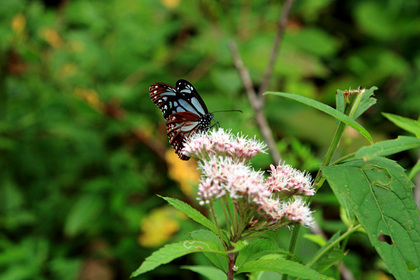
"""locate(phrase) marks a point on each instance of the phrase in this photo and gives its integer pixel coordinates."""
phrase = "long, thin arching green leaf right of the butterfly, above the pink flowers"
(326, 109)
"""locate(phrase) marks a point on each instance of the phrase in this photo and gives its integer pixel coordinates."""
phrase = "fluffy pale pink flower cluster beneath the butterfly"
(263, 202)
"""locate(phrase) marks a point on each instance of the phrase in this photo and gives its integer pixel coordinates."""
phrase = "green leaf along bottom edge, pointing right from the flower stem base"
(281, 266)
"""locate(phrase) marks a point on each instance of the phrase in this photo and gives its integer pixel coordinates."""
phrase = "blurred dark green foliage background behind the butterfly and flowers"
(83, 147)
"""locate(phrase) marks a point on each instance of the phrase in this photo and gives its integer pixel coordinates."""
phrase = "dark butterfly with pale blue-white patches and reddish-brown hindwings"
(184, 111)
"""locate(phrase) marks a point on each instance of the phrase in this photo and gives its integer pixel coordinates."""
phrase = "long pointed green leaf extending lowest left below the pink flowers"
(172, 251)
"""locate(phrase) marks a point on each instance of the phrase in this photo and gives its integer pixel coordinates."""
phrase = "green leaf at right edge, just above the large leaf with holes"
(388, 147)
